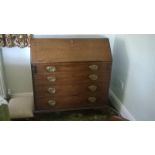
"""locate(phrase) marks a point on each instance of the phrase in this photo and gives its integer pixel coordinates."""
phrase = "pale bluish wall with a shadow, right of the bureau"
(133, 74)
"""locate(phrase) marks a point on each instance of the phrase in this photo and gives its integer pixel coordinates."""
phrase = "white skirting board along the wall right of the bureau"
(120, 107)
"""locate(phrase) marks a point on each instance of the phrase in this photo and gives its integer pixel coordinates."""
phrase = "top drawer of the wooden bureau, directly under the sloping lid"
(75, 67)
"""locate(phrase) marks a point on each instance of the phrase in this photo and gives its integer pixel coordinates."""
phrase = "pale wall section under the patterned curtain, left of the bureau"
(17, 69)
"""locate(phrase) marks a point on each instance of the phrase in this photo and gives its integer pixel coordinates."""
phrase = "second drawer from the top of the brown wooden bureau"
(70, 78)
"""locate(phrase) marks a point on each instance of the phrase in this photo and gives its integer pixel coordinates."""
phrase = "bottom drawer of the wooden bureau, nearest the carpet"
(68, 102)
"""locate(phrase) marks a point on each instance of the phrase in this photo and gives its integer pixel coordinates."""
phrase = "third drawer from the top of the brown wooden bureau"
(65, 90)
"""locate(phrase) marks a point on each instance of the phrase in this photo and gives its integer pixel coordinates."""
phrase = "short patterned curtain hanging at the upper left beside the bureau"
(12, 40)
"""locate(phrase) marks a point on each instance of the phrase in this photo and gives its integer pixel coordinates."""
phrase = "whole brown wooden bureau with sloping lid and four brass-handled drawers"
(70, 74)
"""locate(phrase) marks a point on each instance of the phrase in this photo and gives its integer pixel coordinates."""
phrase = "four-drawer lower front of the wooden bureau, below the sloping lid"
(70, 85)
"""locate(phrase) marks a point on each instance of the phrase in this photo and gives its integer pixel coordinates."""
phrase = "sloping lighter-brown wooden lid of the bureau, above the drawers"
(70, 50)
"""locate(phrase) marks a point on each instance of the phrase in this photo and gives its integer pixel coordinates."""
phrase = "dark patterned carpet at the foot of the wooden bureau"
(86, 115)
